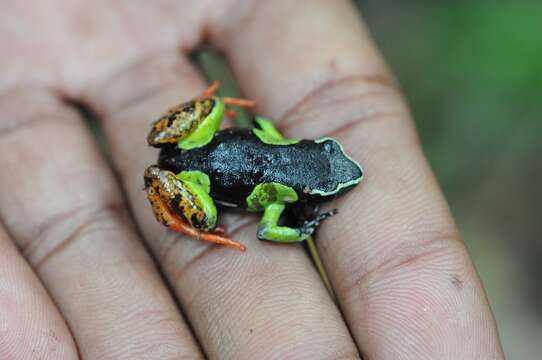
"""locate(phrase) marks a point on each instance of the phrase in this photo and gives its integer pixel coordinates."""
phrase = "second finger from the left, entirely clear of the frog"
(60, 202)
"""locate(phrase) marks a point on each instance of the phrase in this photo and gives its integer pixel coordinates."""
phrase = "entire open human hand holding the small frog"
(405, 285)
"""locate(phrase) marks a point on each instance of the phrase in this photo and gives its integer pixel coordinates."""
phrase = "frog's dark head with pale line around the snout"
(344, 172)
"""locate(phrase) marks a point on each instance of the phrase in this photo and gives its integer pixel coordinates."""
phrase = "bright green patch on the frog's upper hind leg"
(206, 130)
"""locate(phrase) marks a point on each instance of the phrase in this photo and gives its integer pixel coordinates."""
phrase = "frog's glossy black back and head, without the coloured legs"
(237, 161)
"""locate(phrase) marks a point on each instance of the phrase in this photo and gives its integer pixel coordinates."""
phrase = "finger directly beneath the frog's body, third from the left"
(265, 302)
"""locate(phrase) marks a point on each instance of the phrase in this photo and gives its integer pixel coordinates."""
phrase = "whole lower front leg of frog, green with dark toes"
(272, 199)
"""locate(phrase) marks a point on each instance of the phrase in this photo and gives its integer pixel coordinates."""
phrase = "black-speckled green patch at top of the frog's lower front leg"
(269, 193)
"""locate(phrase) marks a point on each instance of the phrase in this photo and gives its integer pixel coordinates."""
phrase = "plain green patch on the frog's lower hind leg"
(199, 185)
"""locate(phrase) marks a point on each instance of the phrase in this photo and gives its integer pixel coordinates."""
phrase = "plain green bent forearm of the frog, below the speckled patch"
(270, 230)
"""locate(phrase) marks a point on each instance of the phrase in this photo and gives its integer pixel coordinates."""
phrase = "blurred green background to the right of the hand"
(472, 73)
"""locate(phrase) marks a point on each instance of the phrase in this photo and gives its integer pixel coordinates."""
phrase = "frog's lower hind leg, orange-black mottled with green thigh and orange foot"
(180, 204)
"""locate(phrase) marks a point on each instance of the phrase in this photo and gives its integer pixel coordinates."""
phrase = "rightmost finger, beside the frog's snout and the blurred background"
(404, 280)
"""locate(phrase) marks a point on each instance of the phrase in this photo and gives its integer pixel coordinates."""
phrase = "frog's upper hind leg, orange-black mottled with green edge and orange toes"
(194, 123)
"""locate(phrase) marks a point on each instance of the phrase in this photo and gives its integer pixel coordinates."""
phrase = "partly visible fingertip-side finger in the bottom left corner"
(28, 315)
